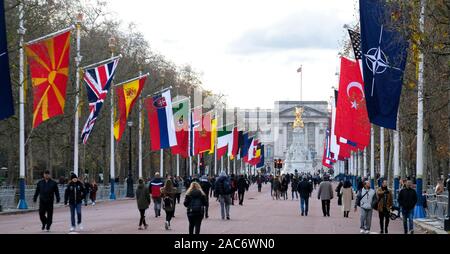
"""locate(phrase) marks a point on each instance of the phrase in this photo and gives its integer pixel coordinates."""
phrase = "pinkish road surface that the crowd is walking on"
(260, 214)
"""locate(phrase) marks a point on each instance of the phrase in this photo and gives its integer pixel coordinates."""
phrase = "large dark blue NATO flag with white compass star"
(384, 54)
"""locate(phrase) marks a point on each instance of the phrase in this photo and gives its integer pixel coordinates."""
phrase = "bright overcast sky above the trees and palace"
(249, 50)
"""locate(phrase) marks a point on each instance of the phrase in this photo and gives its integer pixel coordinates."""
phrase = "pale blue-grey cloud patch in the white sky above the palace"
(300, 31)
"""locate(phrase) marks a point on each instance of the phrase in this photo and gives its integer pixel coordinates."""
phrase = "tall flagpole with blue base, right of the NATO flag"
(419, 211)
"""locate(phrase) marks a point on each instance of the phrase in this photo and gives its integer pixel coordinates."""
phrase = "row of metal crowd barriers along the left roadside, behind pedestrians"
(9, 195)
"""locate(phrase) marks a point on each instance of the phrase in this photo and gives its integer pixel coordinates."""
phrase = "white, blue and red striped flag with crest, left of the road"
(162, 126)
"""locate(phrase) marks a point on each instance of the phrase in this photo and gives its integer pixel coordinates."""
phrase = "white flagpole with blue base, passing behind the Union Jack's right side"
(112, 196)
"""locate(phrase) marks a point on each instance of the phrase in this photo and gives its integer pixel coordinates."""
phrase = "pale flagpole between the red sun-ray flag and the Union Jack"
(77, 99)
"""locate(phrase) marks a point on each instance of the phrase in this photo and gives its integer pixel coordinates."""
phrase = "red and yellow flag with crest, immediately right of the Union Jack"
(127, 94)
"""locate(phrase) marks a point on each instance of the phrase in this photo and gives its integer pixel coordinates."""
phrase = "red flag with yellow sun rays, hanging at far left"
(49, 68)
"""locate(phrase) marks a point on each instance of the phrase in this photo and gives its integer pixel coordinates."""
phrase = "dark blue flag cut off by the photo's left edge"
(6, 99)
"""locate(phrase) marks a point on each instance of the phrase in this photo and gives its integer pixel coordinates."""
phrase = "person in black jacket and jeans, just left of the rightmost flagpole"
(407, 199)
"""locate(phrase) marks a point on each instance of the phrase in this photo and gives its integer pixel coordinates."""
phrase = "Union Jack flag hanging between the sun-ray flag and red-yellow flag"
(97, 81)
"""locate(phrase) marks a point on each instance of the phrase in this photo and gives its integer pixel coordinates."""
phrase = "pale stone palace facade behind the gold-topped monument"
(274, 128)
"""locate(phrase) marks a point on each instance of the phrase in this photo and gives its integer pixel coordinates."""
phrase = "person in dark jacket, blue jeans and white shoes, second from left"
(74, 196)
